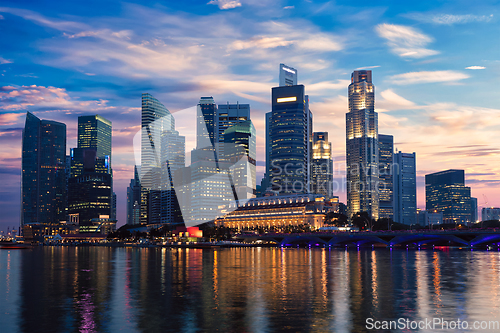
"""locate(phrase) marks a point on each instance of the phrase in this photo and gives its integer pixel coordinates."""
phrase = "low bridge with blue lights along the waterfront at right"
(389, 239)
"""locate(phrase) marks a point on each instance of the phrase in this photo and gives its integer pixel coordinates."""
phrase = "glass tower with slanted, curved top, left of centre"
(154, 121)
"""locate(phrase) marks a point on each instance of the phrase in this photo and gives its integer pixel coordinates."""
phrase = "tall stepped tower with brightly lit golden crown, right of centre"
(362, 146)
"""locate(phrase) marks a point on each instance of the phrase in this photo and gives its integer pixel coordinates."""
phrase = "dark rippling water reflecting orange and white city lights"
(99, 289)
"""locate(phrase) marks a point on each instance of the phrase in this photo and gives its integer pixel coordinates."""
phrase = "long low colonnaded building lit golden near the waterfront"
(278, 211)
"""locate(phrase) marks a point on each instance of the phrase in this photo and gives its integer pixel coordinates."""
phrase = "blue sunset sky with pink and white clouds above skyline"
(435, 69)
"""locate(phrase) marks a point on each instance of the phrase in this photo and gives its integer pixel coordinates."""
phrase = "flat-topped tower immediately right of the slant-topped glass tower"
(173, 155)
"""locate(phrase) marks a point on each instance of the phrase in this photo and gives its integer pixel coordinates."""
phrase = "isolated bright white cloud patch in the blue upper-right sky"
(405, 41)
